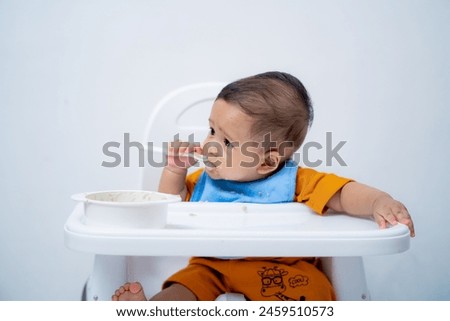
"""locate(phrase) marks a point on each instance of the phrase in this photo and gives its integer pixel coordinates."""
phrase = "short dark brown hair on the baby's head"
(279, 104)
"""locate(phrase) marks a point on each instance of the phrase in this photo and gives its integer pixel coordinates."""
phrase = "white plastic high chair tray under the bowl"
(238, 229)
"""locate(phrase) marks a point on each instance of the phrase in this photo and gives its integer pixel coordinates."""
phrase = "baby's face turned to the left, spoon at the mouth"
(231, 151)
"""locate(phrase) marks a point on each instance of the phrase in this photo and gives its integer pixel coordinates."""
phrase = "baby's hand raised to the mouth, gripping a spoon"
(178, 158)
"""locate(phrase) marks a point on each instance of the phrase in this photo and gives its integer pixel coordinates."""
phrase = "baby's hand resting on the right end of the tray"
(388, 210)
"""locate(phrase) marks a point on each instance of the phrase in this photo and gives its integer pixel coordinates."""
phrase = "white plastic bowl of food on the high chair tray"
(126, 208)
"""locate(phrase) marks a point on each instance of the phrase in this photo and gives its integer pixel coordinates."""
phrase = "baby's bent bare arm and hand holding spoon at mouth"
(173, 178)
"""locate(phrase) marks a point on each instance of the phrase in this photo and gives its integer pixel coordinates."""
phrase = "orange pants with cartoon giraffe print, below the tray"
(258, 279)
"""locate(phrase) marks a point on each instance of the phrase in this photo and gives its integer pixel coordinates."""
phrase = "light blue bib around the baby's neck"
(277, 188)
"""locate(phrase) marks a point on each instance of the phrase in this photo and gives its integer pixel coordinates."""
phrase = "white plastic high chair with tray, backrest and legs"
(223, 229)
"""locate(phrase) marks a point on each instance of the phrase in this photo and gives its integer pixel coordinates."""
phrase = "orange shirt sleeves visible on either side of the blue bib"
(312, 188)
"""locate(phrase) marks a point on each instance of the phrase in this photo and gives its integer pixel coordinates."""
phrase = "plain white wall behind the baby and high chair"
(77, 74)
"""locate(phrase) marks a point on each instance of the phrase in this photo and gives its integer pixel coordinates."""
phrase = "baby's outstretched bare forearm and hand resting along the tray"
(362, 200)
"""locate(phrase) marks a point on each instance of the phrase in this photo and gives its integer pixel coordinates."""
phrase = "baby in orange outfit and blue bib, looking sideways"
(256, 125)
